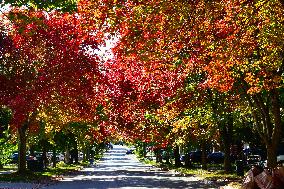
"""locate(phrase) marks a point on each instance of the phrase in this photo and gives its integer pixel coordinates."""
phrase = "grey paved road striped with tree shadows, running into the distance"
(117, 170)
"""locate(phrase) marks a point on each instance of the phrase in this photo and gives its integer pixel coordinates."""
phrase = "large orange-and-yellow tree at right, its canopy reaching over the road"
(236, 45)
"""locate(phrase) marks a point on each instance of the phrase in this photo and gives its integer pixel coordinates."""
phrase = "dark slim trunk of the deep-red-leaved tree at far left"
(22, 149)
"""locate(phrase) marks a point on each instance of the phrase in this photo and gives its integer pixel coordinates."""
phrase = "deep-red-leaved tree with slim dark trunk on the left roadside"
(45, 59)
